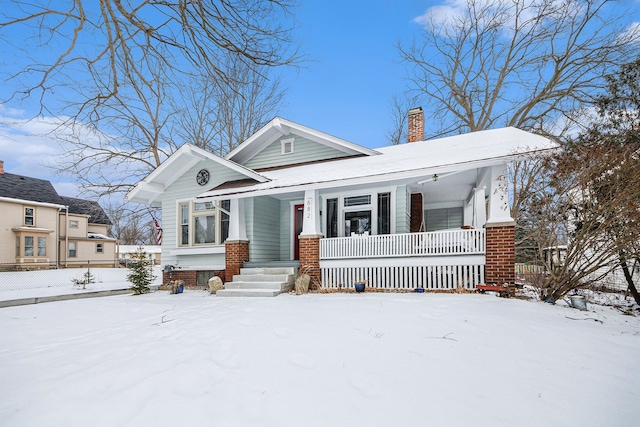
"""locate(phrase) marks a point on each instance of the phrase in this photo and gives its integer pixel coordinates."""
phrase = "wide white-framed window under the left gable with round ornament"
(204, 223)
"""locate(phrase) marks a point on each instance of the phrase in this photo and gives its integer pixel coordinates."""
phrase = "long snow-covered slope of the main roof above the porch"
(460, 152)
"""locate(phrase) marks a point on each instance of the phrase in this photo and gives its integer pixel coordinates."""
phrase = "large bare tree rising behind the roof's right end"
(522, 63)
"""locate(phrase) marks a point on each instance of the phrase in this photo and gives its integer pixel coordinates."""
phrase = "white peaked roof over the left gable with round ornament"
(151, 188)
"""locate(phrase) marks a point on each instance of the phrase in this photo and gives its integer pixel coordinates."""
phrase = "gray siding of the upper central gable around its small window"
(304, 151)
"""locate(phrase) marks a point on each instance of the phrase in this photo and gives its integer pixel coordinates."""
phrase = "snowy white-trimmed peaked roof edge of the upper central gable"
(279, 127)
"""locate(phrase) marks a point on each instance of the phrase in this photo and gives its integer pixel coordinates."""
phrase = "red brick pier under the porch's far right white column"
(501, 254)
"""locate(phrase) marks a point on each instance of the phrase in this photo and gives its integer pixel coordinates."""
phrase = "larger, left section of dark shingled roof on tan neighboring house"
(26, 188)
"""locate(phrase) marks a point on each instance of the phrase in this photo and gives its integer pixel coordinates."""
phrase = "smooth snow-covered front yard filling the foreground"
(193, 359)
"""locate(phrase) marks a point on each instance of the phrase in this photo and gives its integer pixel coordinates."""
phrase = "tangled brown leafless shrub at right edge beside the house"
(588, 204)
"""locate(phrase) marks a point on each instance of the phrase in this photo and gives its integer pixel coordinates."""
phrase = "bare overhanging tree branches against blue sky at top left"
(120, 39)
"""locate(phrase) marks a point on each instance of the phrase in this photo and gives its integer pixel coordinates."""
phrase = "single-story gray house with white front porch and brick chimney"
(431, 214)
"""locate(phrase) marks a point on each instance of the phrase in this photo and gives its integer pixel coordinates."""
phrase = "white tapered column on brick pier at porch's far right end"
(500, 231)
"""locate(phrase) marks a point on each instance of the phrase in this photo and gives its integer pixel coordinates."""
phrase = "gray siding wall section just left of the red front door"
(263, 228)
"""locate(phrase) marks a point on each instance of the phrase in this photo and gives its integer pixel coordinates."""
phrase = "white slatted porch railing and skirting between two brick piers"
(447, 259)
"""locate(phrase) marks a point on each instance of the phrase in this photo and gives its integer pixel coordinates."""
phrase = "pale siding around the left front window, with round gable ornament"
(186, 187)
